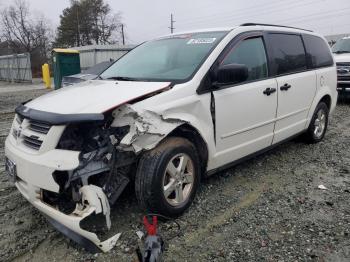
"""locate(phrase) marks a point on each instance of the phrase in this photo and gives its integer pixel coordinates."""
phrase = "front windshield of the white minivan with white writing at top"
(166, 59)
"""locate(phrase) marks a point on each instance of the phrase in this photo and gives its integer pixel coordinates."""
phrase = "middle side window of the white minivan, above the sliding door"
(288, 53)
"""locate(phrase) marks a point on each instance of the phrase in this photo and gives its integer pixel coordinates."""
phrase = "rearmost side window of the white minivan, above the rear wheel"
(318, 52)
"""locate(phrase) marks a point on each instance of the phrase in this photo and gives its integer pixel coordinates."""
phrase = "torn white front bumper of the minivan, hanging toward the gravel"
(94, 201)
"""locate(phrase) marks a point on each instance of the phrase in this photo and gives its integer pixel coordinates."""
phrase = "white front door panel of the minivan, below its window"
(241, 131)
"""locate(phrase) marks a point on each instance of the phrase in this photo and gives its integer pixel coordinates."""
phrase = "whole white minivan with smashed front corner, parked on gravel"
(165, 115)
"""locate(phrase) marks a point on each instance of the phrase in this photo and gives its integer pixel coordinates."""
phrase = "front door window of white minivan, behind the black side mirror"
(250, 52)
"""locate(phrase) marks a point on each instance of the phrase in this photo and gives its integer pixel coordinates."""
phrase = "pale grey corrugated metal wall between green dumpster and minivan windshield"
(94, 54)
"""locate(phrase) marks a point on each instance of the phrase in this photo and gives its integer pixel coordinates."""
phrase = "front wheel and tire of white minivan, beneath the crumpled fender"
(155, 174)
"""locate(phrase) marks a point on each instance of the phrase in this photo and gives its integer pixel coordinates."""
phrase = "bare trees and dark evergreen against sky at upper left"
(83, 22)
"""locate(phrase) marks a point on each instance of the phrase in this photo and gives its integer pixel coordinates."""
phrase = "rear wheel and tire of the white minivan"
(318, 126)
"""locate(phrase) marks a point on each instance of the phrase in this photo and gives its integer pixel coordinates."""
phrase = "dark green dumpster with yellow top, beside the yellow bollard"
(66, 62)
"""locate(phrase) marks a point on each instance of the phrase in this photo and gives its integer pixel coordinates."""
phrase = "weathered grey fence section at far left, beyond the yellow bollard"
(15, 68)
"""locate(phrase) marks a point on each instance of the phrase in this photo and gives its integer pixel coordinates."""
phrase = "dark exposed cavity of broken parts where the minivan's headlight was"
(100, 162)
